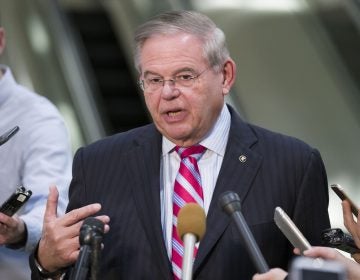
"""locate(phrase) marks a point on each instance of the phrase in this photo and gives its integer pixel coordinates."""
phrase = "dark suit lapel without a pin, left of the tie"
(144, 170)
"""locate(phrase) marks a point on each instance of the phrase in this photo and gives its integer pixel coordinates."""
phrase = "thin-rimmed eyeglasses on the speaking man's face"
(179, 81)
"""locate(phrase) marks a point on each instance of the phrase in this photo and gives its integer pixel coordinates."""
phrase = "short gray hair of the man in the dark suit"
(199, 25)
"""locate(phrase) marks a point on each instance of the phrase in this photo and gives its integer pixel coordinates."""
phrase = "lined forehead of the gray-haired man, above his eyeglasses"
(171, 52)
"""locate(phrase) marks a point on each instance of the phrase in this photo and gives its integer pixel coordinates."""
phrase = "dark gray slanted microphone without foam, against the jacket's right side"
(230, 204)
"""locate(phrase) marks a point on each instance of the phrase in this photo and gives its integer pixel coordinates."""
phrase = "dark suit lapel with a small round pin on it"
(237, 172)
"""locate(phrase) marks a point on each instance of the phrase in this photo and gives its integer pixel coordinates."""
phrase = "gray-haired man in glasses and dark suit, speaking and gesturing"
(185, 72)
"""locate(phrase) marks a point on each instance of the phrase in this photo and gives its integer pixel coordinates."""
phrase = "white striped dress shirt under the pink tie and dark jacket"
(209, 167)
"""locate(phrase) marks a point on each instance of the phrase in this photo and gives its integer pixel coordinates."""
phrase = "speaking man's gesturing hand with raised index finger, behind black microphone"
(59, 245)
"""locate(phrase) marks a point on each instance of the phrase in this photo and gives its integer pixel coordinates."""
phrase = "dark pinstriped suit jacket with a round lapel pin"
(122, 173)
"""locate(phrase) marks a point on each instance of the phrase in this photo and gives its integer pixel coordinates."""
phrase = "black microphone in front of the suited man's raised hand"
(91, 233)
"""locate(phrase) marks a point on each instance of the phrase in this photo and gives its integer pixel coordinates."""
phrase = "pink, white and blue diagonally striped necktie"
(187, 189)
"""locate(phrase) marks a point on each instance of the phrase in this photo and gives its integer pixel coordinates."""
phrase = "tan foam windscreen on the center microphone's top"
(191, 219)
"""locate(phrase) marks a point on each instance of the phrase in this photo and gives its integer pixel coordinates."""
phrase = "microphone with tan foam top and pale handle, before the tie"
(191, 226)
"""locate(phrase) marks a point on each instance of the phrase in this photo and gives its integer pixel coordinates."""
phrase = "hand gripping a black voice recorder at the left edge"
(12, 230)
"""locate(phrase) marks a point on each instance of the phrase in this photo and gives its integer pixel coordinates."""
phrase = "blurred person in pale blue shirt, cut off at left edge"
(38, 156)
